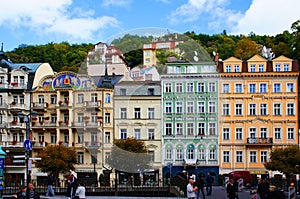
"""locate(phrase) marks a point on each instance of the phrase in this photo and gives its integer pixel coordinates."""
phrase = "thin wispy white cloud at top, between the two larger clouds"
(192, 10)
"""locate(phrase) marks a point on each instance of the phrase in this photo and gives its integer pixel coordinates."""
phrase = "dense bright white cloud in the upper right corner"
(268, 17)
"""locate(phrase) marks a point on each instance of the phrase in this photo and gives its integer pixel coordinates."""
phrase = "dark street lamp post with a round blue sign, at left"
(27, 143)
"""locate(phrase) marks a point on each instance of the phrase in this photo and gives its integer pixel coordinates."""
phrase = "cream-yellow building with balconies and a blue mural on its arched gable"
(74, 111)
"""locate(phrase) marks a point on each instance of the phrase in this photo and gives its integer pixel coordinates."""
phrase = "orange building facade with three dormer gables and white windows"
(258, 111)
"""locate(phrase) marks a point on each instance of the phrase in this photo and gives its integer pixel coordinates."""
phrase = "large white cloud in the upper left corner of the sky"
(53, 16)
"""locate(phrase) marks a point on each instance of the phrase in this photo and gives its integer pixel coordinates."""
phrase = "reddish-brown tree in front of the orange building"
(286, 160)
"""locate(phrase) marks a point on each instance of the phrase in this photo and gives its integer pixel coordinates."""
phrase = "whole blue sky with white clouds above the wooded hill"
(38, 22)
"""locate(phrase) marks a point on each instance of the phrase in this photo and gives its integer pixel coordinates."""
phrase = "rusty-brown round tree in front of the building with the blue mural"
(57, 159)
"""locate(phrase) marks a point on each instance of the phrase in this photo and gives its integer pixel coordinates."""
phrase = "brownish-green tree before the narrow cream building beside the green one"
(129, 155)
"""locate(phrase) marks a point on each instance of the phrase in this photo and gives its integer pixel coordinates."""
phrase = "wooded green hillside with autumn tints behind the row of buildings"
(64, 56)
